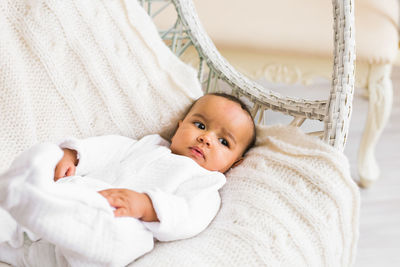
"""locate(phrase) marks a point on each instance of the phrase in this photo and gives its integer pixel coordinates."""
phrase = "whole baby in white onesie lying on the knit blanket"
(114, 195)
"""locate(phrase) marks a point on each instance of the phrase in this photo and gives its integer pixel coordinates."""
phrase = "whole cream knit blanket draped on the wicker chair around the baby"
(85, 68)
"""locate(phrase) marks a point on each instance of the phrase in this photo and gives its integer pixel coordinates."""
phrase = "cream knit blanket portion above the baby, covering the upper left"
(85, 68)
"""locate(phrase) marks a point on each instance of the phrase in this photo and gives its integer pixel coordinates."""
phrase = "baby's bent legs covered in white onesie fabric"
(77, 220)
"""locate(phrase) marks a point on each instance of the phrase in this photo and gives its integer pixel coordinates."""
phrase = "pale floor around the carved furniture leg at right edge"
(379, 243)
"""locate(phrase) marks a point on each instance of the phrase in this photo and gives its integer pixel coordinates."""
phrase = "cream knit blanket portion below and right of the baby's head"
(292, 202)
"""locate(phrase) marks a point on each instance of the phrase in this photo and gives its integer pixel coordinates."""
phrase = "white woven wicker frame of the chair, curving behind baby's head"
(335, 112)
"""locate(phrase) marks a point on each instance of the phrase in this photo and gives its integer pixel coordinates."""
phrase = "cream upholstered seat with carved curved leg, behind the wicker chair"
(299, 51)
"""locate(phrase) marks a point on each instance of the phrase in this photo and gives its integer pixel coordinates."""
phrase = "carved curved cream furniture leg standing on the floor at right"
(380, 93)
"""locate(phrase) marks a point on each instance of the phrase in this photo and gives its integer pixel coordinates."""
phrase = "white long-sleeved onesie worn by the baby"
(79, 222)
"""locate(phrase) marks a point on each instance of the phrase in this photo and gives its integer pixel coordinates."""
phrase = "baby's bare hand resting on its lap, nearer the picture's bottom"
(130, 203)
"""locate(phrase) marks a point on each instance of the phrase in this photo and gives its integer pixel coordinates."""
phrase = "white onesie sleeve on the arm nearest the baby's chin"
(189, 210)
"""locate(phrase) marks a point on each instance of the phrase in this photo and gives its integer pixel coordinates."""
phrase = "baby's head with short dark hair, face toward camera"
(216, 132)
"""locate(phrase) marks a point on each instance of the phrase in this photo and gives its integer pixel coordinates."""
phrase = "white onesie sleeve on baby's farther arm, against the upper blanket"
(96, 152)
